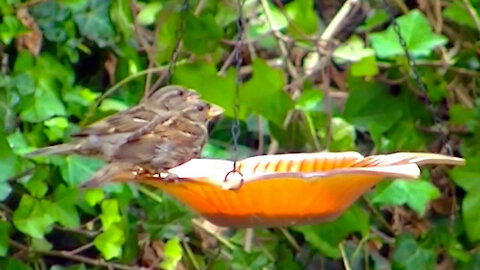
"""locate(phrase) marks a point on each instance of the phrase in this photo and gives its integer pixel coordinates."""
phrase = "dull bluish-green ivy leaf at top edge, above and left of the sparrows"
(94, 22)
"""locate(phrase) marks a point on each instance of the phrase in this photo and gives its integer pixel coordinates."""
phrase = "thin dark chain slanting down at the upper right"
(413, 66)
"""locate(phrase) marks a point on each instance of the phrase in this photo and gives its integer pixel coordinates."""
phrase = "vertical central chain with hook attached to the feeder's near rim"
(238, 64)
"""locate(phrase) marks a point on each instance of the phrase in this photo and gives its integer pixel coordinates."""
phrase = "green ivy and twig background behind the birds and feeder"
(354, 91)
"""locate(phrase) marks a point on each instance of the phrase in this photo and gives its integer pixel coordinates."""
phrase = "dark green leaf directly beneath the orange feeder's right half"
(326, 237)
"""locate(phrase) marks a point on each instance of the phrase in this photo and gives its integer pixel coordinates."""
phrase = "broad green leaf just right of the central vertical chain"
(264, 95)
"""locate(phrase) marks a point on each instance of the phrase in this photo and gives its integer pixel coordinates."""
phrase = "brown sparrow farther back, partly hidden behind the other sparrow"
(102, 138)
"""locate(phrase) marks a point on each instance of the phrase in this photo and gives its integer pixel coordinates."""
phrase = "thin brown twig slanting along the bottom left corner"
(74, 257)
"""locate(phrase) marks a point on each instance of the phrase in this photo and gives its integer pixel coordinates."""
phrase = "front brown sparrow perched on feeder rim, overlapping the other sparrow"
(167, 146)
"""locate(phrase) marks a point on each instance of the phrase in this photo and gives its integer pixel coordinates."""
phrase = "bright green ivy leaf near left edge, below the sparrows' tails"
(32, 217)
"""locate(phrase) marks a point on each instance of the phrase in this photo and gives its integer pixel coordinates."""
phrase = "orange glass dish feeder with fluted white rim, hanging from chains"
(286, 189)
